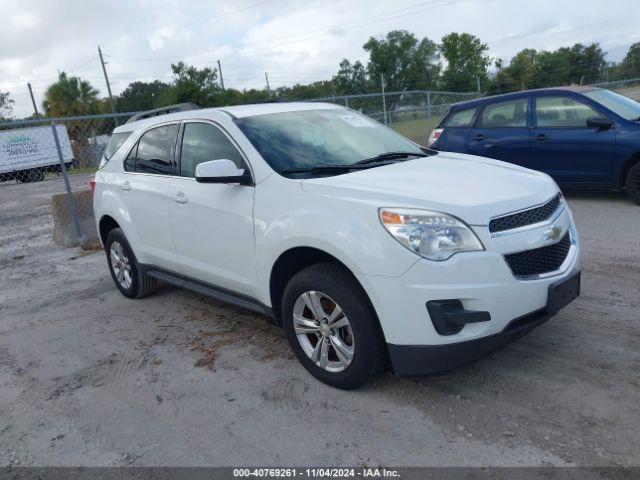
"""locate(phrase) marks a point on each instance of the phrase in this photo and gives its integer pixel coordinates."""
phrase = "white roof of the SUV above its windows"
(236, 111)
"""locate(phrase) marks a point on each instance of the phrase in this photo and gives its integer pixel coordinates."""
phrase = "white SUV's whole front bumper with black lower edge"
(479, 283)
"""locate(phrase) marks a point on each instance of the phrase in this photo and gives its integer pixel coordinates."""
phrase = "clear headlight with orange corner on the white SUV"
(432, 235)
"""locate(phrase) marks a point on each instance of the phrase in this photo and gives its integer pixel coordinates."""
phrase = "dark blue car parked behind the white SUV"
(583, 137)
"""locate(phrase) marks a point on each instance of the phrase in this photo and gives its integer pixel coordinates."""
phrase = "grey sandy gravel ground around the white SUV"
(91, 378)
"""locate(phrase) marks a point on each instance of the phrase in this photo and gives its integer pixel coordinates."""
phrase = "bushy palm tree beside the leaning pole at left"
(70, 96)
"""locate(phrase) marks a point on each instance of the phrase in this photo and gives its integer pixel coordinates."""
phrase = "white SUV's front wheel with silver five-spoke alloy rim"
(331, 327)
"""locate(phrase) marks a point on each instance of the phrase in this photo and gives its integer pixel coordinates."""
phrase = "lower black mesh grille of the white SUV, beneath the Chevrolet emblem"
(539, 260)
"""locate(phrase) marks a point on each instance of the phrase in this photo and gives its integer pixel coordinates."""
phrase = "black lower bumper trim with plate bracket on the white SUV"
(428, 359)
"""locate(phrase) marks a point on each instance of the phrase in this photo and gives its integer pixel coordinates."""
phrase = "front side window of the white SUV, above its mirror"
(203, 142)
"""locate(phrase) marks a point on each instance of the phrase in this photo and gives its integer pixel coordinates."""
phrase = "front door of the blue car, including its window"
(564, 147)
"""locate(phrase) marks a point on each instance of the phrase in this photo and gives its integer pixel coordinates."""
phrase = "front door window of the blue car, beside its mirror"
(563, 112)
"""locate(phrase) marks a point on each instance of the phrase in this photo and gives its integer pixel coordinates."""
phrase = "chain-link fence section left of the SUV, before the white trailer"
(45, 165)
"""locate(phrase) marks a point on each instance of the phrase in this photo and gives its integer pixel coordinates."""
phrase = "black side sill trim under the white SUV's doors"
(208, 290)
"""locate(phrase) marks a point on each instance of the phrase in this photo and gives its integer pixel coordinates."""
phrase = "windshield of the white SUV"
(317, 138)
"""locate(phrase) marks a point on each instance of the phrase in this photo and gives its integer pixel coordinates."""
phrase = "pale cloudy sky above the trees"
(294, 41)
